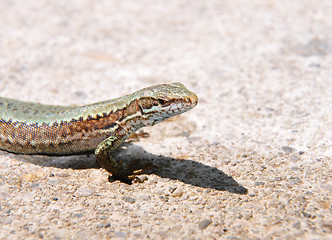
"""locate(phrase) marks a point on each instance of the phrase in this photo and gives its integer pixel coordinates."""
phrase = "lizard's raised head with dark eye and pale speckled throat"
(163, 101)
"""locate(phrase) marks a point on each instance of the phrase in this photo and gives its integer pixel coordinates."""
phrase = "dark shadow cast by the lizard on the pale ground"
(135, 157)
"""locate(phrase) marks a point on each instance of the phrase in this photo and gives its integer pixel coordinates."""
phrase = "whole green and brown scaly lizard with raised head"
(32, 128)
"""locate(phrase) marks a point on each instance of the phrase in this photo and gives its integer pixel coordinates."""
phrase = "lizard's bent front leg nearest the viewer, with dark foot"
(103, 156)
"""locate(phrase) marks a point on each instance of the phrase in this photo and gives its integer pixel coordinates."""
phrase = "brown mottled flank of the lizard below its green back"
(67, 137)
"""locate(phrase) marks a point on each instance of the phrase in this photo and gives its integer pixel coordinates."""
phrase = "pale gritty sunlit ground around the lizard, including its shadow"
(251, 161)
